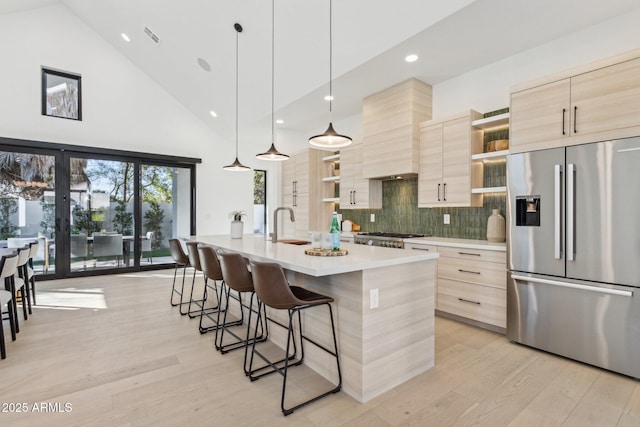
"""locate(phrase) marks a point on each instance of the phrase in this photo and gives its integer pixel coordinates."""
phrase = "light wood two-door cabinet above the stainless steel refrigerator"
(596, 102)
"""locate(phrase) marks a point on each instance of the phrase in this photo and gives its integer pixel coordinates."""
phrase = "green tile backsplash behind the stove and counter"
(400, 212)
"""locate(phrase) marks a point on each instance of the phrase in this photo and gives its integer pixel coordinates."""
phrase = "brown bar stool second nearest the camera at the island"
(237, 278)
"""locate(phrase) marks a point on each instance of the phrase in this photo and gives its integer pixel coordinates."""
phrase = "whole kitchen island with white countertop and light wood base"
(380, 347)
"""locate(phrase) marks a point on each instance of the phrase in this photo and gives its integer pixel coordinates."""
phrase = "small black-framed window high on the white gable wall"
(61, 94)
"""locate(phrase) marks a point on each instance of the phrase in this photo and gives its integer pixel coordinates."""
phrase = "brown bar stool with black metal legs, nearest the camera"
(274, 291)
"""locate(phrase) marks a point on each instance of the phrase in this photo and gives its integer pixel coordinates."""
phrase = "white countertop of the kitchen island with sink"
(292, 257)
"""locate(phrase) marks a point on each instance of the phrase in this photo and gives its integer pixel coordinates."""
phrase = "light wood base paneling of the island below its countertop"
(379, 348)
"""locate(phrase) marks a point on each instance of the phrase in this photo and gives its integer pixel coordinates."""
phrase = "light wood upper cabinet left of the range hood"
(357, 192)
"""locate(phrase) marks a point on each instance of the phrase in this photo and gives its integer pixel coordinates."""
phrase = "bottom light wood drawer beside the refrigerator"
(477, 302)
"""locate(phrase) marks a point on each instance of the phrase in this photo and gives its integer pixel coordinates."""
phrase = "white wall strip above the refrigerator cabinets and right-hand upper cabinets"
(487, 88)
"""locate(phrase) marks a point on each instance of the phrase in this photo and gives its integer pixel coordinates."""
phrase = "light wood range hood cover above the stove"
(390, 126)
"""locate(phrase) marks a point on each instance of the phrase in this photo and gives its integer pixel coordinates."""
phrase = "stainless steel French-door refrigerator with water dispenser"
(573, 285)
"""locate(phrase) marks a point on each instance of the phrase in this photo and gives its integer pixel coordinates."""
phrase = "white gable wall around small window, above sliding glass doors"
(122, 108)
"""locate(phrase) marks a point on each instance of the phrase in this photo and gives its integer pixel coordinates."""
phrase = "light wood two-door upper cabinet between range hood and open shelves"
(447, 173)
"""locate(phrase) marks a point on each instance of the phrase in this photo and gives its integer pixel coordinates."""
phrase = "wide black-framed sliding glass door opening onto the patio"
(93, 212)
